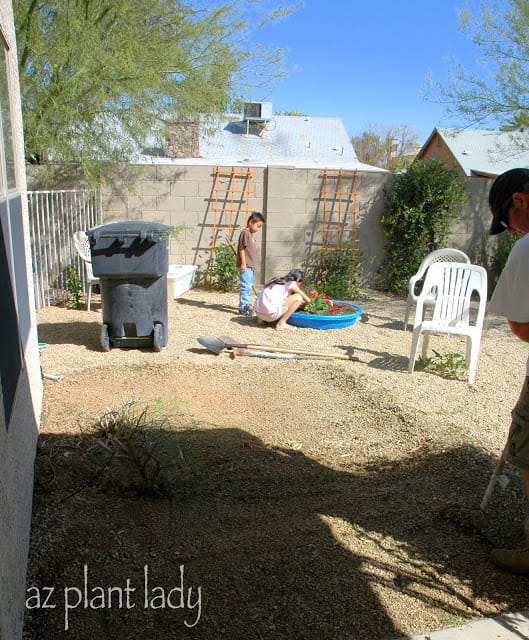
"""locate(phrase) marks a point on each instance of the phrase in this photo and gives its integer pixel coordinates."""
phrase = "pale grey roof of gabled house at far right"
(484, 152)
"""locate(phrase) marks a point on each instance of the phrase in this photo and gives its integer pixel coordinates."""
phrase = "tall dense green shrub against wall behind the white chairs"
(419, 208)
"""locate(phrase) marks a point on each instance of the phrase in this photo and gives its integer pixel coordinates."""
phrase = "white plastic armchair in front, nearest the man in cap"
(455, 283)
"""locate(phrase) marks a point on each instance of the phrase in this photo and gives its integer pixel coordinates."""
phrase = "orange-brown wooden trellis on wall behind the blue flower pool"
(339, 208)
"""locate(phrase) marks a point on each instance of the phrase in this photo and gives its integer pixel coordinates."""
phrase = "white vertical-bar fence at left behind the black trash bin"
(54, 217)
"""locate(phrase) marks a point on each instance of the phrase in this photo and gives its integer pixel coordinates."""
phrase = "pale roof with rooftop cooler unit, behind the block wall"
(299, 141)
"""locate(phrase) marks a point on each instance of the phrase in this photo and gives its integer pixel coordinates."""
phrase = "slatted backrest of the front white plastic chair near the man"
(455, 283)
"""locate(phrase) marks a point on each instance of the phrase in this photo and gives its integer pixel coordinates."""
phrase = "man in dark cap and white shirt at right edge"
(509, 203)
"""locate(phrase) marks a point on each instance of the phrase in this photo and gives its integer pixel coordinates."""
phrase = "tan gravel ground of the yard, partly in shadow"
(317, 498)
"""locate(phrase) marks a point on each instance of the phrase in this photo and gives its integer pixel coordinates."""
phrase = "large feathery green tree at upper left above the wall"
(99, 77)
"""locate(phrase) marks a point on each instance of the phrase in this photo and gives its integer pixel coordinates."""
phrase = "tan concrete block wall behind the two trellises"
(182, 195)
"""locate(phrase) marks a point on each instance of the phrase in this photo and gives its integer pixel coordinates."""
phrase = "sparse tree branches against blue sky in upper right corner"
(498, 90)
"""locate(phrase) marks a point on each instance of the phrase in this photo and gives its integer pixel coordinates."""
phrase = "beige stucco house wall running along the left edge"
(21, 386)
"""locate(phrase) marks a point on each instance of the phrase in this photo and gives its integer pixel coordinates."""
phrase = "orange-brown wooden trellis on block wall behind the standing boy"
(229, 205)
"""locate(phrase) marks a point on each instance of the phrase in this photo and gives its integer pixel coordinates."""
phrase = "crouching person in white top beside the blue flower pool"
(280, 298)
